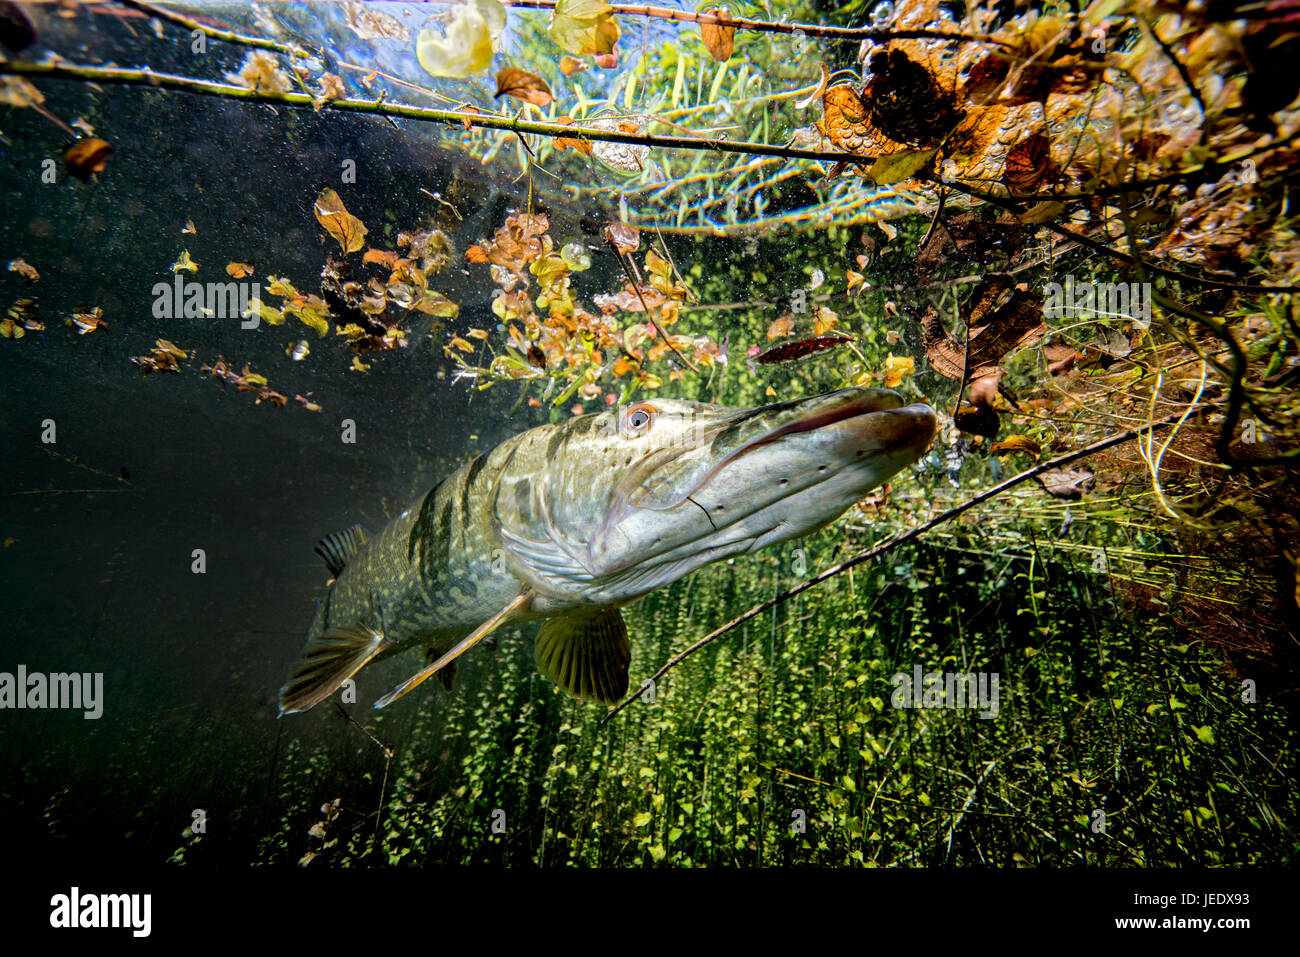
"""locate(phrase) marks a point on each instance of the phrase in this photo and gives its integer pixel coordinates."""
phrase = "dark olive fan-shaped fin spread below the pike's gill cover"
(587, 656)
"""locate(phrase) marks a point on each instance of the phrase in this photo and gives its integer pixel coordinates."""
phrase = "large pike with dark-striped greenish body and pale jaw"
(574, 521)
